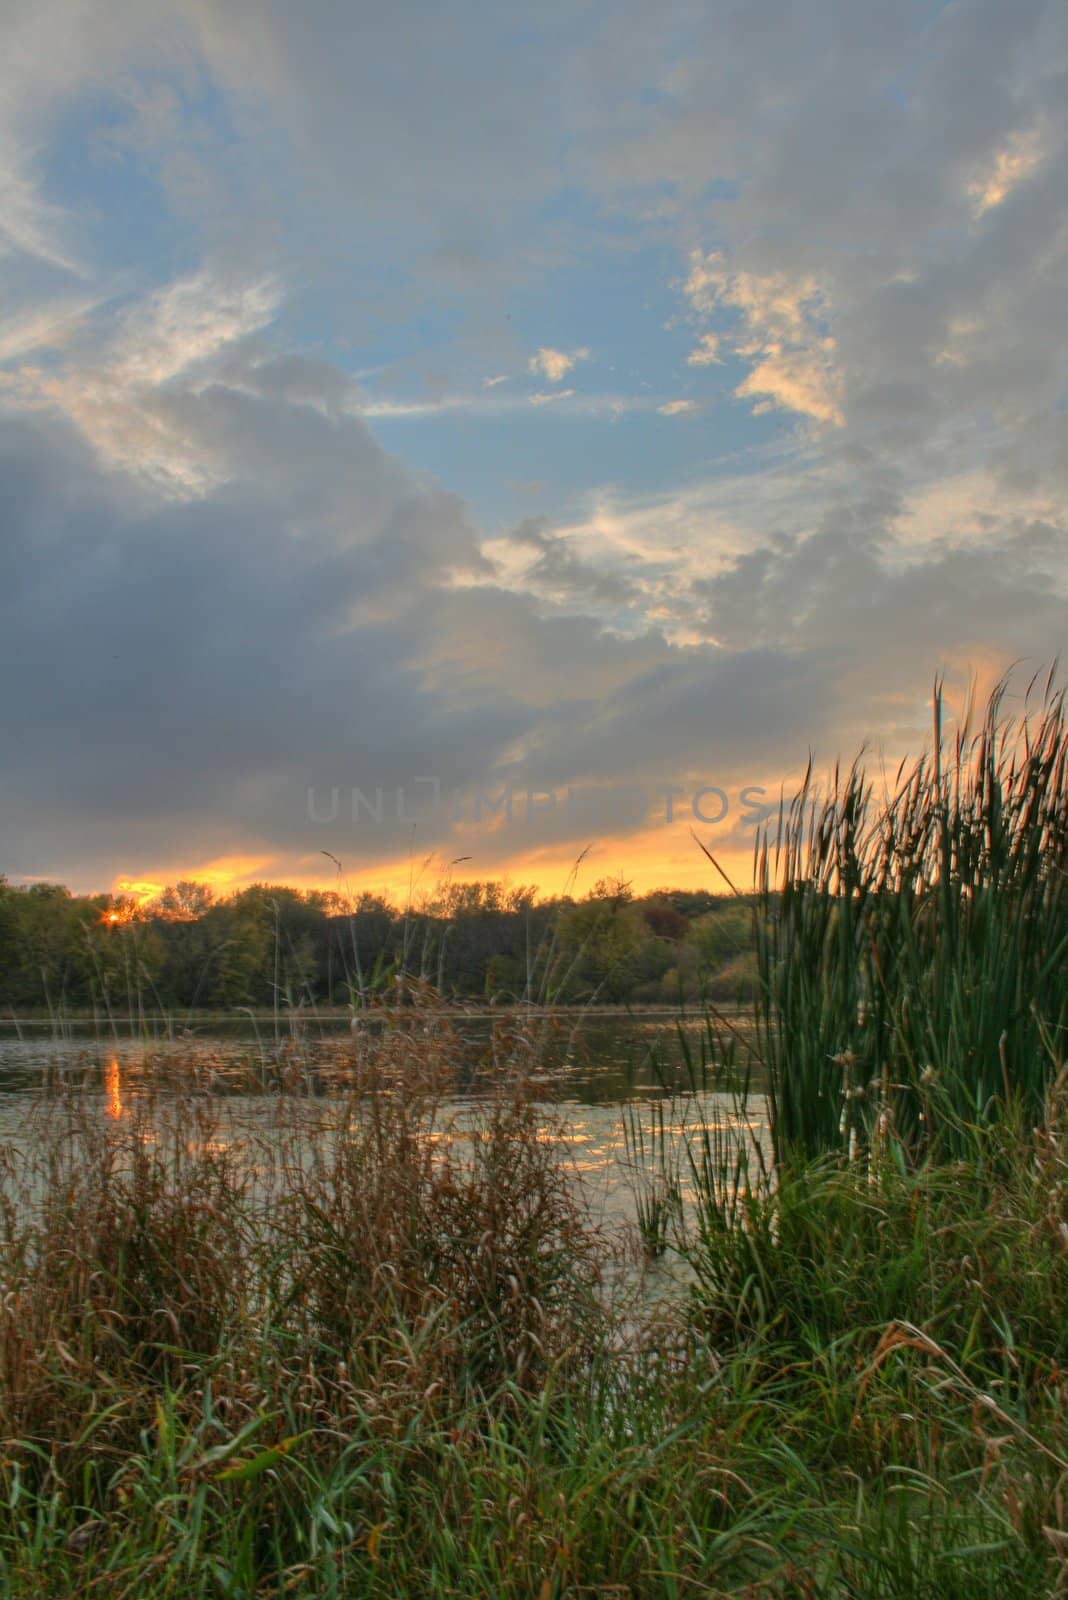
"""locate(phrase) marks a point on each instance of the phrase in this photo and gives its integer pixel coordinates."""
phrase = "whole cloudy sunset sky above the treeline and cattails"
(504, 433)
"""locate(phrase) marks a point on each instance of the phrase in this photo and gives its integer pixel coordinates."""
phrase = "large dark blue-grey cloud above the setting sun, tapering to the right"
(314, 617)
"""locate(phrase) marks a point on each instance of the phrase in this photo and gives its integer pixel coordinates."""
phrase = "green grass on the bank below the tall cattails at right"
(909, 1332)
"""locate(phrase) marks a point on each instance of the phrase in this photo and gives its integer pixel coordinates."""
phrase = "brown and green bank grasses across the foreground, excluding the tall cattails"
(361, 1348)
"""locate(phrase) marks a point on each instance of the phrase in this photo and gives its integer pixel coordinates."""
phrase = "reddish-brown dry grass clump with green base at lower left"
(244, 1358)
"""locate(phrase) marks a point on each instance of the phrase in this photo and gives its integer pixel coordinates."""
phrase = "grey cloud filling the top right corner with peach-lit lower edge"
(856, 170)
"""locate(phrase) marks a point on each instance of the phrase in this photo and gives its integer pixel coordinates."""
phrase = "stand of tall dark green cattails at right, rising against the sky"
(914, 942)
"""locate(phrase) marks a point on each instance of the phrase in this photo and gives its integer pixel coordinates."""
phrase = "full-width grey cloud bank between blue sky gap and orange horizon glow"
(300, 625)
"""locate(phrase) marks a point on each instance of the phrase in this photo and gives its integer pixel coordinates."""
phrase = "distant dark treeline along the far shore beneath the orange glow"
(269, 945)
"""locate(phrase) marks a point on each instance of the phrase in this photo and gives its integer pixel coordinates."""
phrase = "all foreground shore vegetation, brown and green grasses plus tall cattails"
(356, 1348)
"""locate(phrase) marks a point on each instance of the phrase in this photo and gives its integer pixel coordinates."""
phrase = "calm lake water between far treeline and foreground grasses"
(620, 1092)
